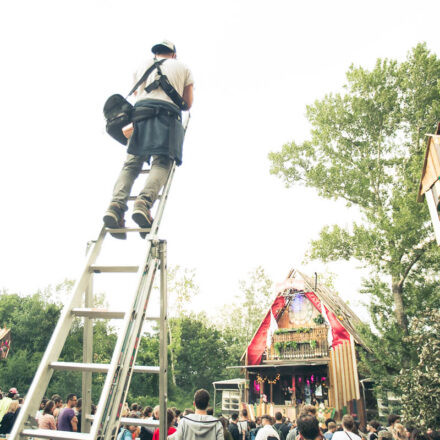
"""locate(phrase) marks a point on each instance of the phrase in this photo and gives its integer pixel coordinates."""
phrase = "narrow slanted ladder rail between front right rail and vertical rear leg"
(130, 355)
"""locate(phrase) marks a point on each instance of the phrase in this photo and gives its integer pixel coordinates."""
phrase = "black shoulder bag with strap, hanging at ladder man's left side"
(118, 111)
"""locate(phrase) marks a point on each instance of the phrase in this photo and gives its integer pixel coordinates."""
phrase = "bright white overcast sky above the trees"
(257, 65)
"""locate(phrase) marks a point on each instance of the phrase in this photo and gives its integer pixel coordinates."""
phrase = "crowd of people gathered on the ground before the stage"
(199, 422)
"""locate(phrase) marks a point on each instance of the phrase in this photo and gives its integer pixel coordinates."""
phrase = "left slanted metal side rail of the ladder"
(44, 372)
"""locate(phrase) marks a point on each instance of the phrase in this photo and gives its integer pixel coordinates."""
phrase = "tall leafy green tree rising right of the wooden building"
(366, 148)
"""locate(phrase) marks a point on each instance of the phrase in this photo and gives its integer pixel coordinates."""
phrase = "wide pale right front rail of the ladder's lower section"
(113, 377)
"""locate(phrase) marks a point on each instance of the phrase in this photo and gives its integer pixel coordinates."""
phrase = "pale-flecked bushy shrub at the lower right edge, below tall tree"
(421, 381)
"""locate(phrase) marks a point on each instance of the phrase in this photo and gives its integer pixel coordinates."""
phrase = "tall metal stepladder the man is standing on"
(105, 423)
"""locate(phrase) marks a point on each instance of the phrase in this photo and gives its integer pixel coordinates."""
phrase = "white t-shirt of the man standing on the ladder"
(178, 74)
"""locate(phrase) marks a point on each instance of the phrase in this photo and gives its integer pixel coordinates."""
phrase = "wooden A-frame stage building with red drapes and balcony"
(303, 352)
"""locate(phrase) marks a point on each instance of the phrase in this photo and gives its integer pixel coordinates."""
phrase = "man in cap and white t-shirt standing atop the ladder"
(156, 133)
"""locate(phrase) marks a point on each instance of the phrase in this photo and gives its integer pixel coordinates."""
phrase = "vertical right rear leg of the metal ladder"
(163, 343)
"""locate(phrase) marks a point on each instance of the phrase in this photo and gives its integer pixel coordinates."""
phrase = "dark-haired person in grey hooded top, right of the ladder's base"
(199, 425)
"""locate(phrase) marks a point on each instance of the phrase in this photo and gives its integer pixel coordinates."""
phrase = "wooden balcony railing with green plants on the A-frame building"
(306, 344)
